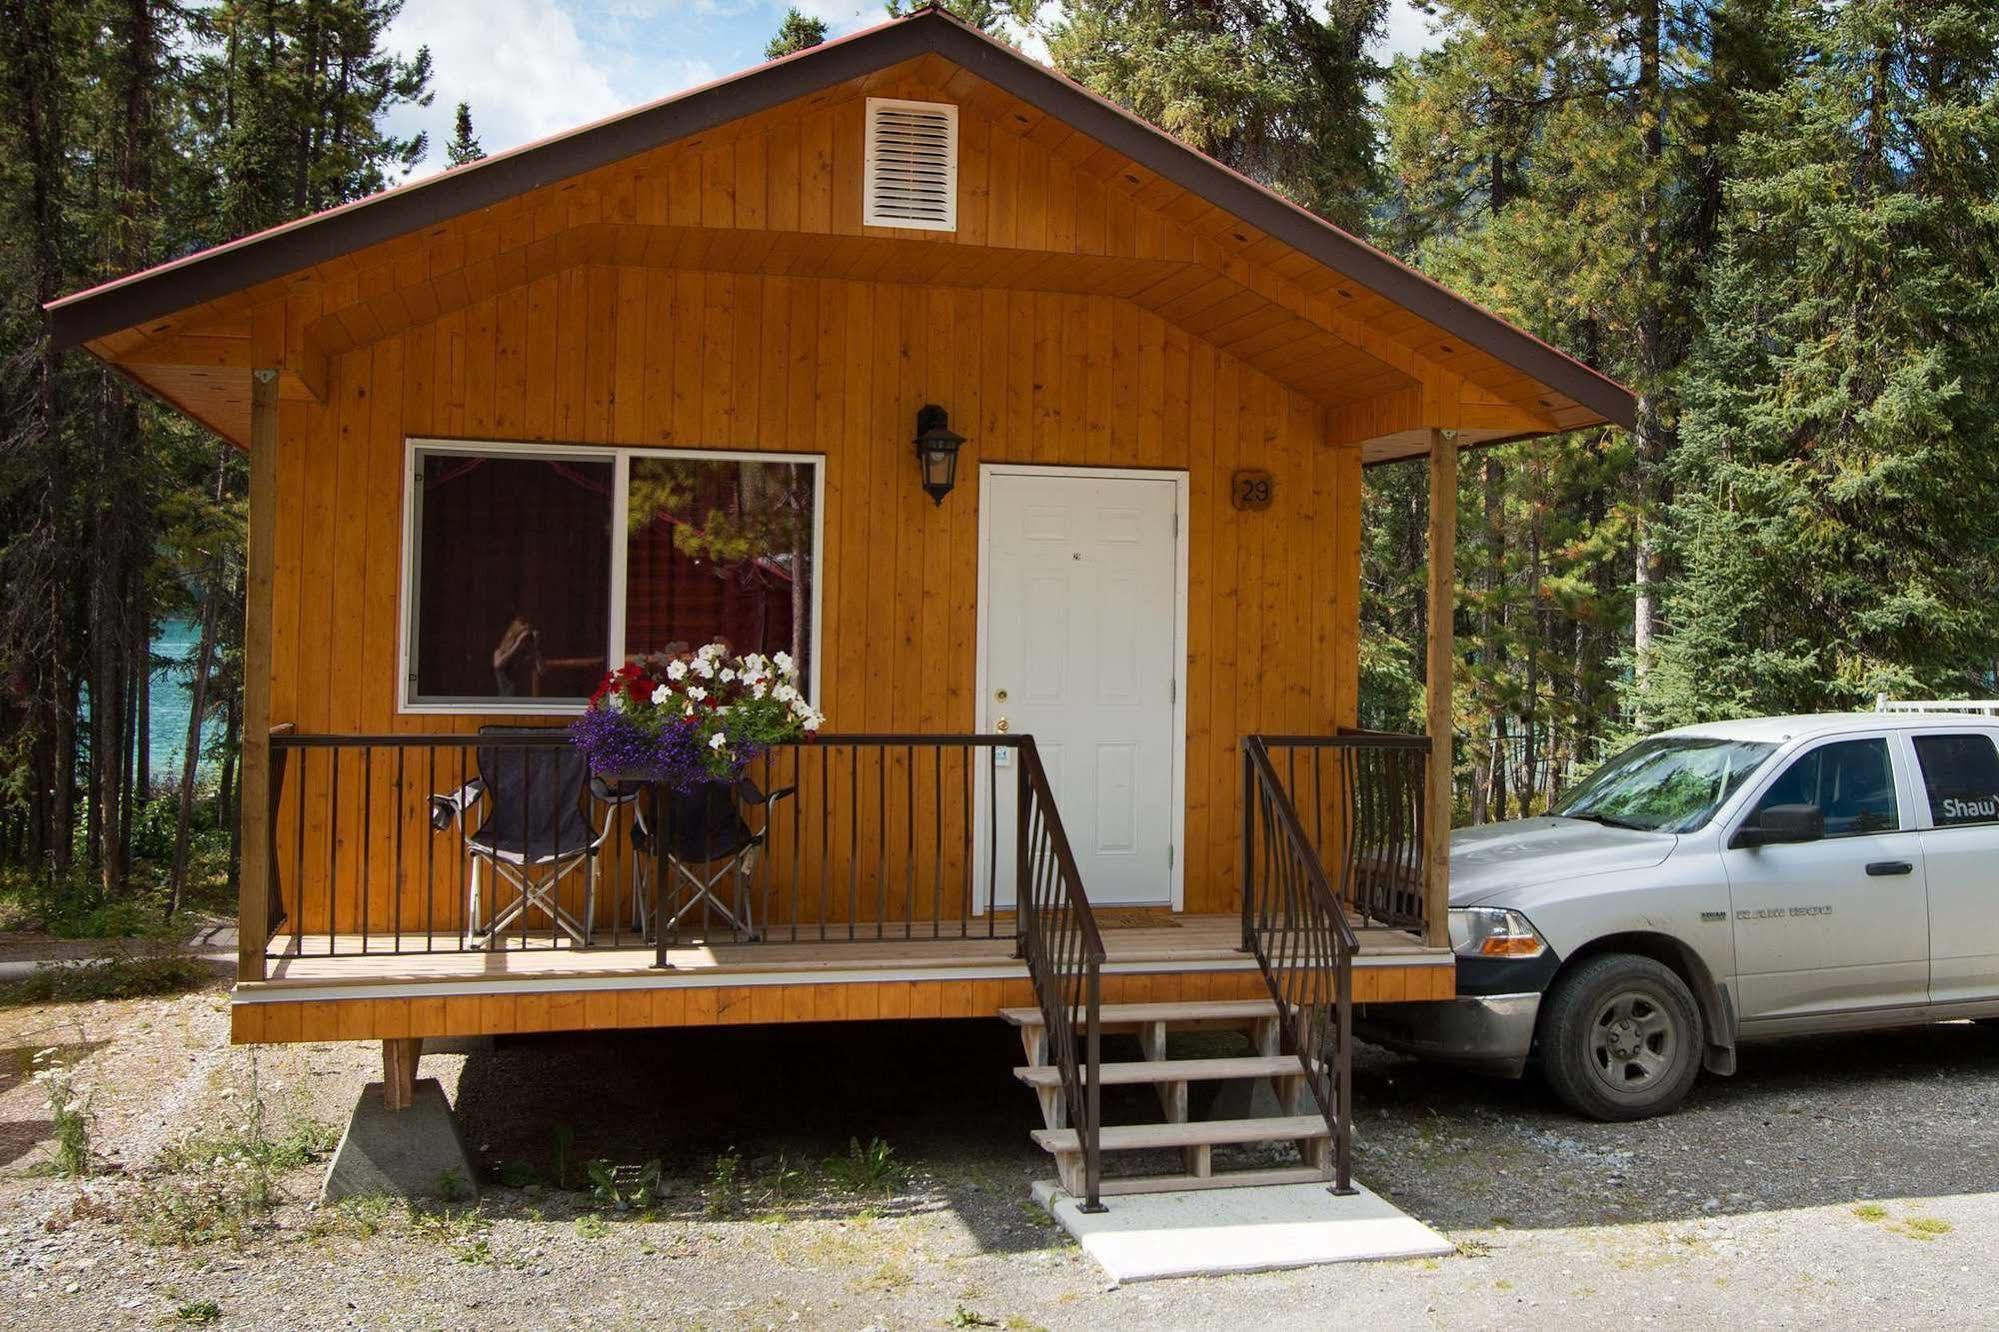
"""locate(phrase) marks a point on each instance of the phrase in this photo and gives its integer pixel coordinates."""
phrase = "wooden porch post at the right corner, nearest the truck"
(1440, 661)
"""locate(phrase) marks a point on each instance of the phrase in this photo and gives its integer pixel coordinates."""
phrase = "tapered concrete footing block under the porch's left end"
(411, 1153)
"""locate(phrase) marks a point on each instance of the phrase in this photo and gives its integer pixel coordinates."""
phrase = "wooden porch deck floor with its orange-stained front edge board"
(449, 993)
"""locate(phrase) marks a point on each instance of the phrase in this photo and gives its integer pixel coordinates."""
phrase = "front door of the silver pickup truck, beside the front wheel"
(1842, 923)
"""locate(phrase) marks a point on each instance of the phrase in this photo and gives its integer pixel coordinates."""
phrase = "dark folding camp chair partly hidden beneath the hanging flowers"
(711, 851)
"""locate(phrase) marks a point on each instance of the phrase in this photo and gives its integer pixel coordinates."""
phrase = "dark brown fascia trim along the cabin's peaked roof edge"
(343, 231)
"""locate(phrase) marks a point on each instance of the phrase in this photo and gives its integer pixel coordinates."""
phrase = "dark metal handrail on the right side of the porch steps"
(1304, 945)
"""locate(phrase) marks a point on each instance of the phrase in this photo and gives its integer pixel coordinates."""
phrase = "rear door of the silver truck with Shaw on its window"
(1962, 855)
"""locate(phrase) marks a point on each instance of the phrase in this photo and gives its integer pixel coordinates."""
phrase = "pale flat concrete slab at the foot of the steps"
(1220, 1231)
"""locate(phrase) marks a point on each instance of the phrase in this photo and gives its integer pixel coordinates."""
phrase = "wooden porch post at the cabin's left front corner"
(255, 869)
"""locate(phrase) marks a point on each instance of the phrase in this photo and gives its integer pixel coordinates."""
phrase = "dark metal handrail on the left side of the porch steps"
(1064, 953)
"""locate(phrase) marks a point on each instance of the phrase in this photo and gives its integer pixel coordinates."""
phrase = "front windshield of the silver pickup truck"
(1664, 785)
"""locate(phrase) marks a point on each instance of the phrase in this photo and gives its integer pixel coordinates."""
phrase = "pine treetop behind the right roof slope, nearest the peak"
(1268, 87)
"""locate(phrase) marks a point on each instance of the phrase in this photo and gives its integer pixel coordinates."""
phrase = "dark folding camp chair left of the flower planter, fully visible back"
(535, 831)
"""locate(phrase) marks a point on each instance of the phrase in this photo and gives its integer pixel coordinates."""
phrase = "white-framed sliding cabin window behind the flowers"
(531, 571)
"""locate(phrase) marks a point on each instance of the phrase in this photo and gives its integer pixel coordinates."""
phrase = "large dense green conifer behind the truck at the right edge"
(1840, 479)
